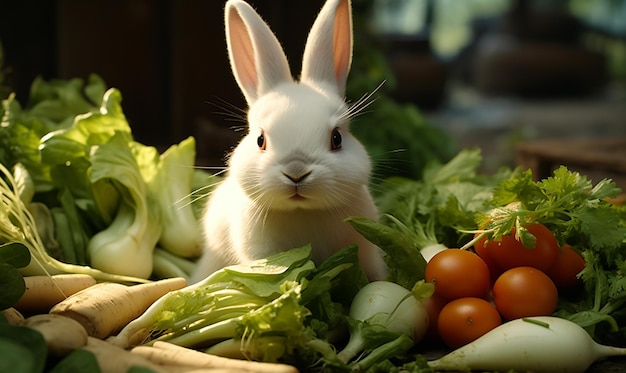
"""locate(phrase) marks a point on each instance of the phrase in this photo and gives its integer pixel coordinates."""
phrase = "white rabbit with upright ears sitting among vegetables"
(298, 173)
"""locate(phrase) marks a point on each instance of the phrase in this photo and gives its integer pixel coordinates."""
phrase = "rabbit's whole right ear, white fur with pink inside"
(328, 51)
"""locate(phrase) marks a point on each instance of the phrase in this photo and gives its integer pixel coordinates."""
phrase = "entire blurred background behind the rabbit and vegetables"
(535, 83)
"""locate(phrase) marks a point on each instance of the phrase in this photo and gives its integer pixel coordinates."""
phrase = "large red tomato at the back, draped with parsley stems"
(510, 253)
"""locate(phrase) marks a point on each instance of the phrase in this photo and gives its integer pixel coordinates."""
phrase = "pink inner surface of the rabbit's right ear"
(342, 43)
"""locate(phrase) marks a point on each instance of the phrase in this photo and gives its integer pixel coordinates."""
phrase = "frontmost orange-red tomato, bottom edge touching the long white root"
(463, 320)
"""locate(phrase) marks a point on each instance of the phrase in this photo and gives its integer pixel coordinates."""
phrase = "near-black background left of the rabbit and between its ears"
(168, 58)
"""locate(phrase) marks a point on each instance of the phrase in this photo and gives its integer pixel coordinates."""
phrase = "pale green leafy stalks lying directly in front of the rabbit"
(212, 309)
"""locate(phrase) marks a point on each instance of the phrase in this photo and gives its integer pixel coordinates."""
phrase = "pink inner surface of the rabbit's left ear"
(242, 56)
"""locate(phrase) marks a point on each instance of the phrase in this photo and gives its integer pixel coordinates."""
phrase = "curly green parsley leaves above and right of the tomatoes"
(580, 214)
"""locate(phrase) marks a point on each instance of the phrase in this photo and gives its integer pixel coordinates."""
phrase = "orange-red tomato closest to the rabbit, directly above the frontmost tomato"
(458, 273)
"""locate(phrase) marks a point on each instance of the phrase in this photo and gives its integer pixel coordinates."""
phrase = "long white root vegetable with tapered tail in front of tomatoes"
(537, 344)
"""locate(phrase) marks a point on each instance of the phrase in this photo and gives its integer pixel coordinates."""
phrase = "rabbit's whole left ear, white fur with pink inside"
(256, 57)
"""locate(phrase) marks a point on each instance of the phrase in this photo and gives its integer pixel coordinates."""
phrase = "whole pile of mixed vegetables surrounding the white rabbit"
(483, 268)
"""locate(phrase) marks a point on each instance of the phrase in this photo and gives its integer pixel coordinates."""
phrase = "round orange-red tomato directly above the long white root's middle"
(523, 292)
